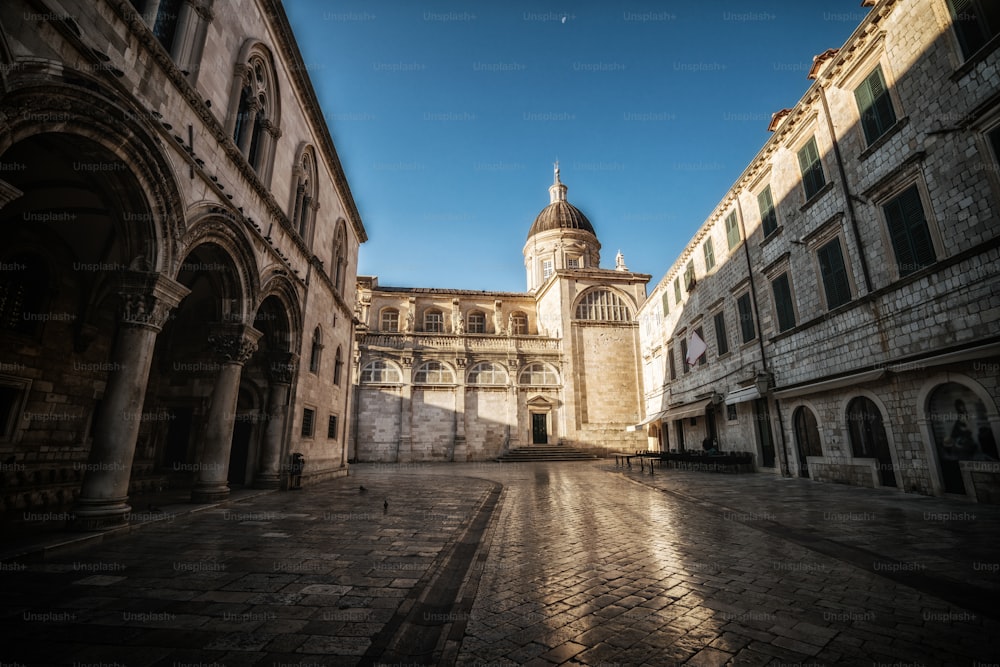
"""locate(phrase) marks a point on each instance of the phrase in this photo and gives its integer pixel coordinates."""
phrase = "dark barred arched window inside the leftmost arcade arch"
(23, 294)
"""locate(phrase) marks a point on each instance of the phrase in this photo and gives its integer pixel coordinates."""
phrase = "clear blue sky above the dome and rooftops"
(447, 117)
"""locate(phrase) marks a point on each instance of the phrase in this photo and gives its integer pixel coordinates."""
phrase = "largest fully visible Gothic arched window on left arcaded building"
(256, 115)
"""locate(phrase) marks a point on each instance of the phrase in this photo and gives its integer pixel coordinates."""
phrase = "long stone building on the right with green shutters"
(846, 285)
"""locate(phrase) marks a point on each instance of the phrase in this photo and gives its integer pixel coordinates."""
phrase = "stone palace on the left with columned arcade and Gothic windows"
(179, 257)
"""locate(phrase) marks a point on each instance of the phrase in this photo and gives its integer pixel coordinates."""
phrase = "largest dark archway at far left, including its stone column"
(82, 304)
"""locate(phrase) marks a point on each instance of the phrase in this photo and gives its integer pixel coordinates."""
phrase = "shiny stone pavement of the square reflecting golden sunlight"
(524, 564)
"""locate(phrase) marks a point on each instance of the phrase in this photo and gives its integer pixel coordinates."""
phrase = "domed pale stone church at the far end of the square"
(459, 375)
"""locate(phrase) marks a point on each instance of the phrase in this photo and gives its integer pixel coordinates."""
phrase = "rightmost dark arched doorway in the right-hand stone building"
(961, 429)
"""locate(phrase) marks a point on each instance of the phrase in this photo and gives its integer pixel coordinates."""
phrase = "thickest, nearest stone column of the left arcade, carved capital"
(103, 501)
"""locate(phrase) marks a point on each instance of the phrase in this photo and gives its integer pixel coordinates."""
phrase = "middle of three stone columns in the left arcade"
(234, 344)
